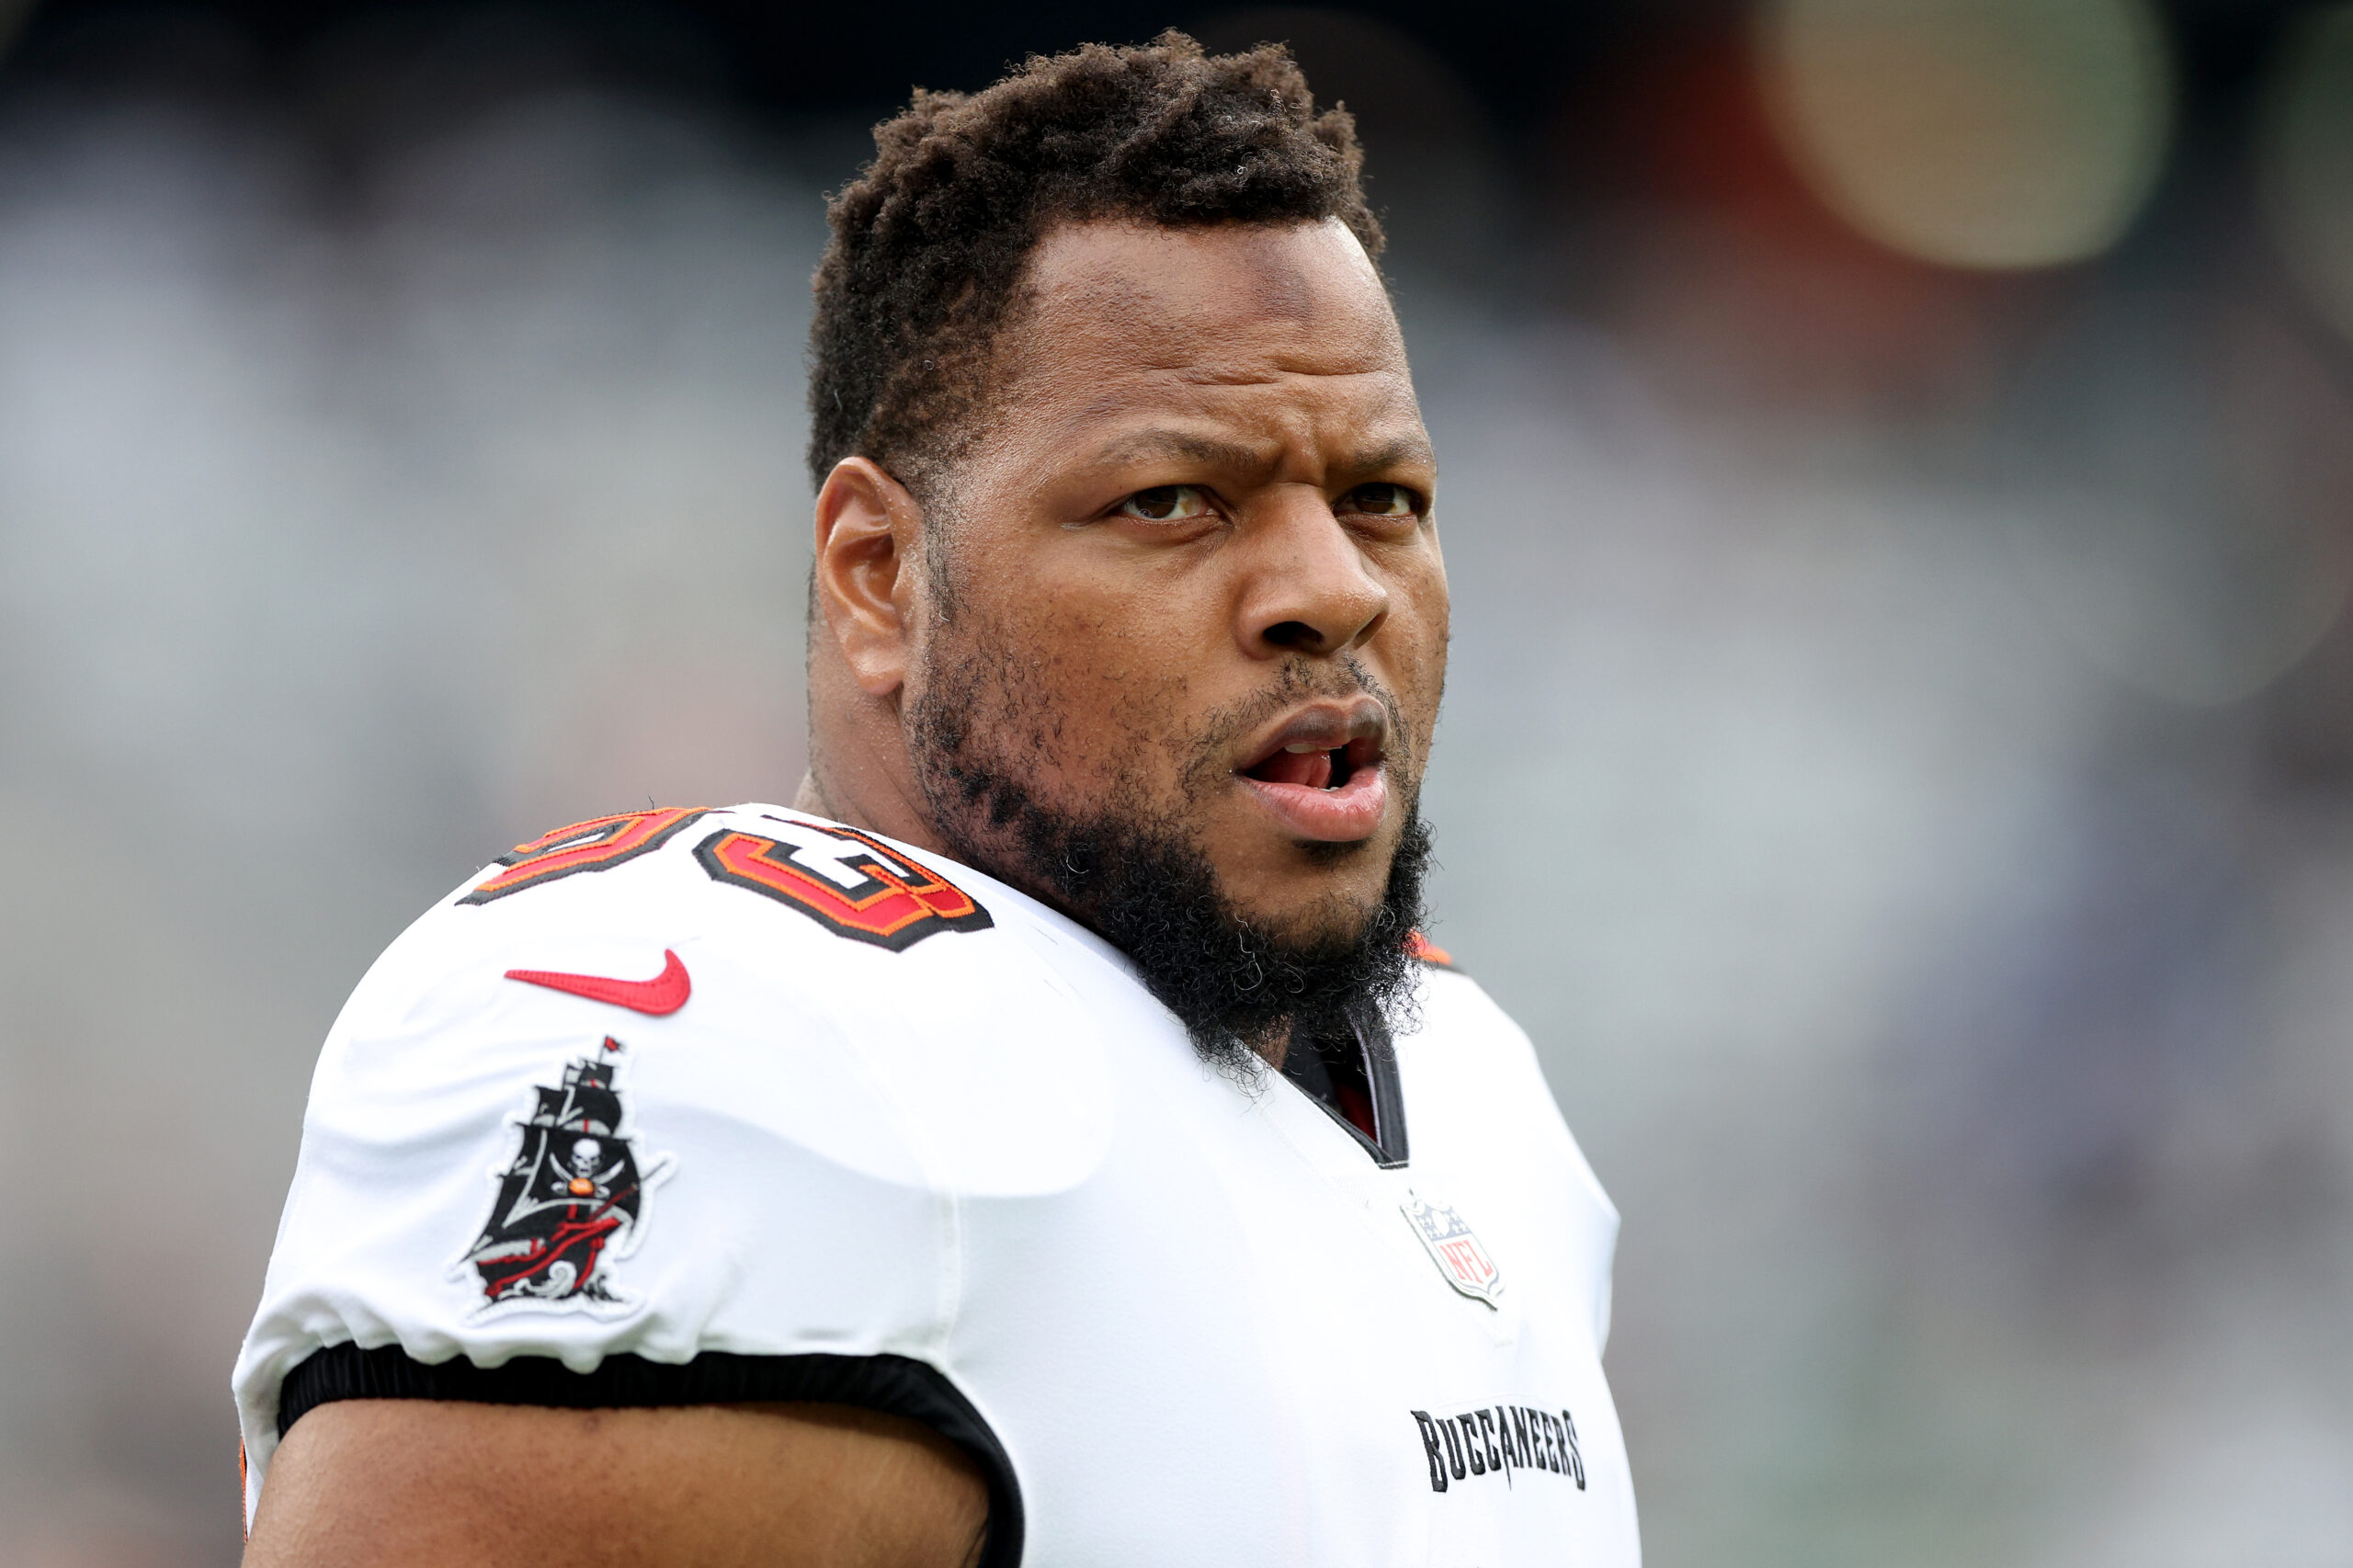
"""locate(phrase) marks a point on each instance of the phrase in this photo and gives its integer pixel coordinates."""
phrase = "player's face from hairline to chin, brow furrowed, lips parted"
(1189, 573)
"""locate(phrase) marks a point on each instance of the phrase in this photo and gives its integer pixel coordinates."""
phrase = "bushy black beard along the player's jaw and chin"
(1142, 886)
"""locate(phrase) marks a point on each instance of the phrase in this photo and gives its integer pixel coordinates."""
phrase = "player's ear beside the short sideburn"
(869, 550)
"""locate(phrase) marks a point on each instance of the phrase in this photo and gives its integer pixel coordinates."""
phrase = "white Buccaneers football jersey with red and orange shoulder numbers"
(749, 1103)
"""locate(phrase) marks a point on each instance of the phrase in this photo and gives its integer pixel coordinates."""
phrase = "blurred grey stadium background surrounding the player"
(1900, 755)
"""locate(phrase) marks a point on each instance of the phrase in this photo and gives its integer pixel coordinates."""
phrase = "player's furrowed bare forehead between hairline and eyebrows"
(1237, 321)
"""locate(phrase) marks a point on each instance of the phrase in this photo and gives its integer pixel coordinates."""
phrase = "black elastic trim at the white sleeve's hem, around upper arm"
(888, 1386)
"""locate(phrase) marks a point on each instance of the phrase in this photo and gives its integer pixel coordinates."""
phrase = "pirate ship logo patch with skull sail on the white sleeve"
(573, 1200)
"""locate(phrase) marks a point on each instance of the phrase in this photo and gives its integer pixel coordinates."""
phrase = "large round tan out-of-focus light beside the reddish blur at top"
(1973, 133)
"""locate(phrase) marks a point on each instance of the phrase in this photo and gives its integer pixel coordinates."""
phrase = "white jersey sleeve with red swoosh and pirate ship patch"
(502, 1169)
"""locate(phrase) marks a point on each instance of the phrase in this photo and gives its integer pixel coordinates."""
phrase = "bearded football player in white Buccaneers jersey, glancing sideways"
(1048, 1141)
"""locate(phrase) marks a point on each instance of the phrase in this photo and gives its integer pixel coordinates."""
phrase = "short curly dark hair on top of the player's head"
(931, 241)
